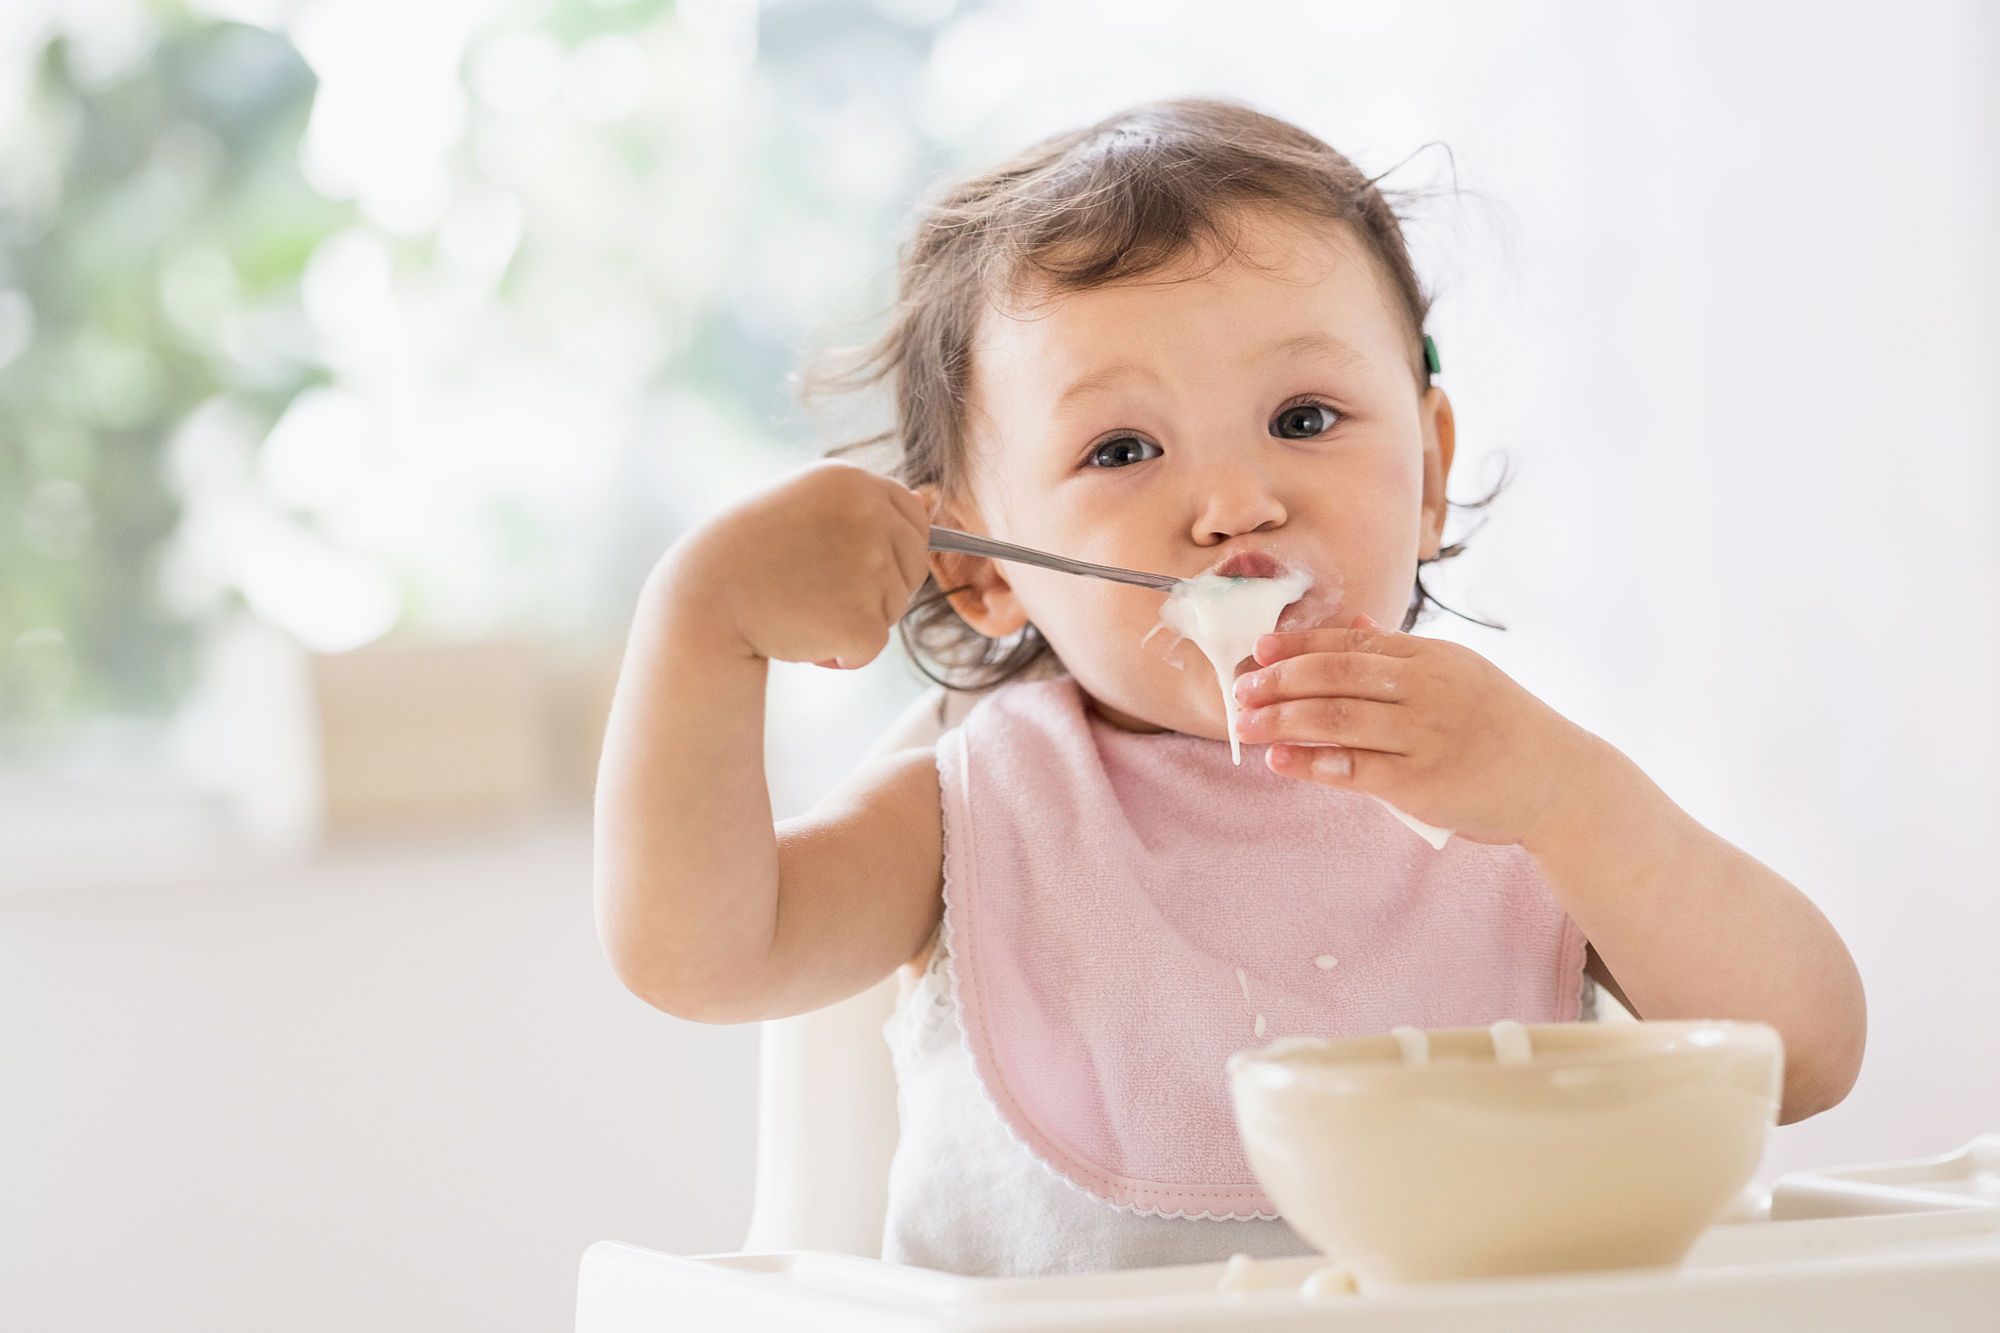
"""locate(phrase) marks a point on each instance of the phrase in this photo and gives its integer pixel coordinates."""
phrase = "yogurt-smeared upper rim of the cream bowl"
(1343, 1058)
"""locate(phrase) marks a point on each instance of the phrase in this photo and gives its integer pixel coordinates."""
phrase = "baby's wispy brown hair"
(1109, 203)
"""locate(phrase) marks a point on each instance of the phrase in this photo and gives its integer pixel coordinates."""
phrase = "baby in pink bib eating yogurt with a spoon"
(1187, 339)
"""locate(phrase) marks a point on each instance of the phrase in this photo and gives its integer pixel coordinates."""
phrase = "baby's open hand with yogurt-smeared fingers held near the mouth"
(1423, 724)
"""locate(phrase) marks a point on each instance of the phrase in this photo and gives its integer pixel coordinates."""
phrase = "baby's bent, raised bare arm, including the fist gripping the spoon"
(705, 908)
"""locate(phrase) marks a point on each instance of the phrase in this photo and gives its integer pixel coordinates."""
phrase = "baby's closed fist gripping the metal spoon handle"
(815, 569)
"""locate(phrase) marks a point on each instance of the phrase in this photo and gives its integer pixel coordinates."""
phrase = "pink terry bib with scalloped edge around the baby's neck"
(1121, 910)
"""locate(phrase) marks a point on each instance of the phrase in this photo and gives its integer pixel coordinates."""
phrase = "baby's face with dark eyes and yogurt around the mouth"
(1167, 425)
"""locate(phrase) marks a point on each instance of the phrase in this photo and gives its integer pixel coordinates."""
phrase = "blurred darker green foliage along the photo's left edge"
(145, 227)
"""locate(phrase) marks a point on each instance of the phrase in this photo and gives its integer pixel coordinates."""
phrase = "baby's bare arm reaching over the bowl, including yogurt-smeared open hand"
(1681, 924)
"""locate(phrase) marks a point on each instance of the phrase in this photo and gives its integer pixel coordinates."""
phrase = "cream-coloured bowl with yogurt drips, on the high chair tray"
(1615, 1146)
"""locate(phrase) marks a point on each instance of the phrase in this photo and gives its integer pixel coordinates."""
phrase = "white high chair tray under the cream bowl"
(1909, 1246)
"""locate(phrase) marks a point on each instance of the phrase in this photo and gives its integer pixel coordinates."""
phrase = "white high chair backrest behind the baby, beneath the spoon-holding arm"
(827, 1090)
